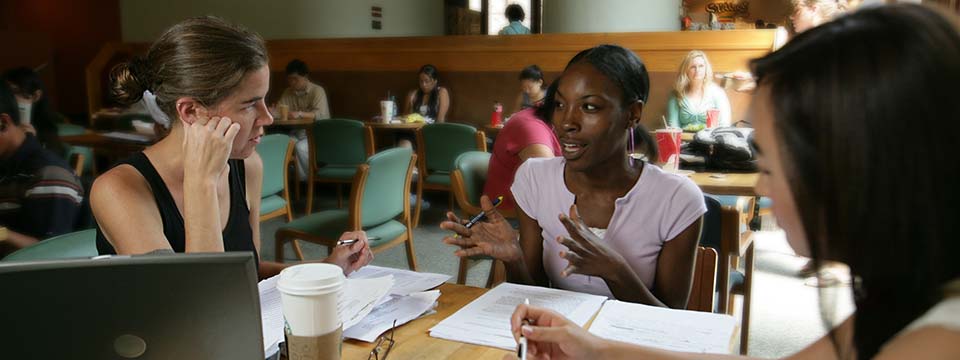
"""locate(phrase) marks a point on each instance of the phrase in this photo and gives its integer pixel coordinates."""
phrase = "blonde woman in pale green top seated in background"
(695, 93)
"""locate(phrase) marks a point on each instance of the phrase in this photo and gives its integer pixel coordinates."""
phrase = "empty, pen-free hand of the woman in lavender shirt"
(586, 254)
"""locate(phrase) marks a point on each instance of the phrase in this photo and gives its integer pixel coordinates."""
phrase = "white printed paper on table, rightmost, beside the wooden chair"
(675, 330)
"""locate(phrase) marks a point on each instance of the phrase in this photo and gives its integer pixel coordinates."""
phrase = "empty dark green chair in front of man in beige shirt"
(337, 147)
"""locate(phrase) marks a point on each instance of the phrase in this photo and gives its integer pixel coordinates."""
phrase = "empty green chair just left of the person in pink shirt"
(438, 145)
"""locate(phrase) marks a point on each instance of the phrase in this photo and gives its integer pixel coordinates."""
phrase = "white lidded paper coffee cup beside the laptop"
(309, 294)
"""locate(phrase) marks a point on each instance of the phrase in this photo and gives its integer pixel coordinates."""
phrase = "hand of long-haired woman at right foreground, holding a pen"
(552, 336)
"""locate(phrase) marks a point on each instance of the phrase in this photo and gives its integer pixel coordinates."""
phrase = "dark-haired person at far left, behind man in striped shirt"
(36, 115)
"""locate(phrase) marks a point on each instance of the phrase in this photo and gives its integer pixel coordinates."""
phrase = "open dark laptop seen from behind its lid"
(176, 306)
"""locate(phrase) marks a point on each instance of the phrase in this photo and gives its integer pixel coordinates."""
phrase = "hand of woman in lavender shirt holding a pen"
(493, 237)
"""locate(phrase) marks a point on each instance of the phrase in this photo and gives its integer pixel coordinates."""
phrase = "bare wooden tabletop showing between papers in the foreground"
(414, 342)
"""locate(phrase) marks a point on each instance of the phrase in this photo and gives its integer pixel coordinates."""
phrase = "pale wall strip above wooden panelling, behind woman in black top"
(143, 20)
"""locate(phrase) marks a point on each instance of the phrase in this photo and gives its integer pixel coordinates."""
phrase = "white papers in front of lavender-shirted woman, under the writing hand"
(486, 321)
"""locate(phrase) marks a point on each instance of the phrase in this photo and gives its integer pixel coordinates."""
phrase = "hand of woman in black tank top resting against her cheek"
(207, 144)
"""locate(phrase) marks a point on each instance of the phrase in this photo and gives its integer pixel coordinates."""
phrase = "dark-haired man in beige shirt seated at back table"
(305, 100)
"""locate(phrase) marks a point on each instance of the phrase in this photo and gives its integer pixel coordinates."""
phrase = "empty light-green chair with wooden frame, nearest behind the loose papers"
(379, 204)
